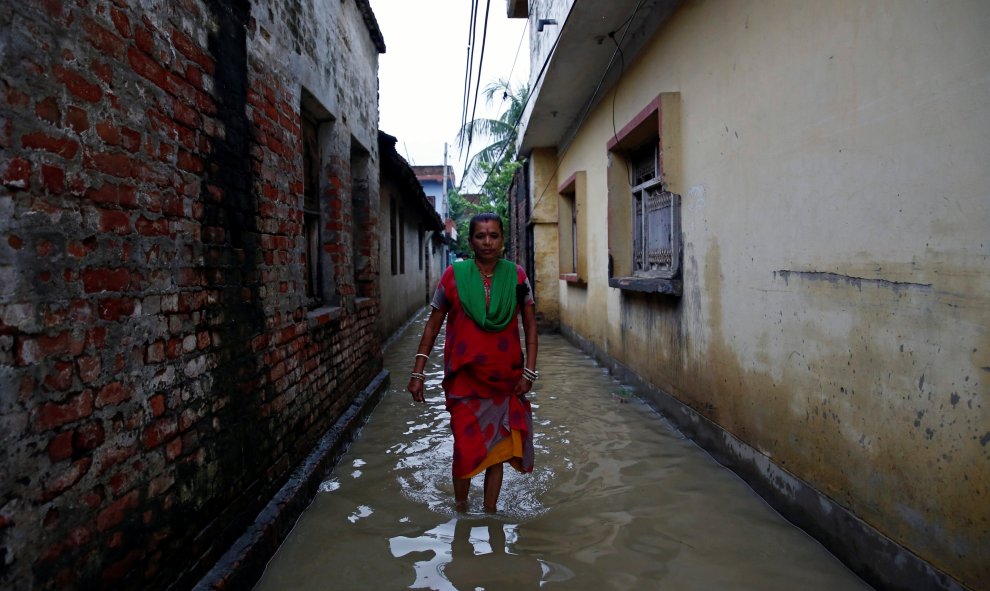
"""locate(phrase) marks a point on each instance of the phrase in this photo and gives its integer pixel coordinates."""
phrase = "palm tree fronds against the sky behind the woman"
(502, 131)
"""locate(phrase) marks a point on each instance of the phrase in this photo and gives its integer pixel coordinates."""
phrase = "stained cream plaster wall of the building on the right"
(836, 226)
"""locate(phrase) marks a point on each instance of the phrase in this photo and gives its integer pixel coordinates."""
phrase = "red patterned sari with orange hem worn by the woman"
(481, 369)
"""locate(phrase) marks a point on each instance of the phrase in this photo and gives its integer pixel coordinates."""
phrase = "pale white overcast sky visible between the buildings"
(421, 74)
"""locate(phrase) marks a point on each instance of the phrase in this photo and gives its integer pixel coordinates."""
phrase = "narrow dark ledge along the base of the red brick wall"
(243, 564)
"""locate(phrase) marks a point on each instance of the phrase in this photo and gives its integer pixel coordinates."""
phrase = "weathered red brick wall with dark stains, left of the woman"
(160, 371)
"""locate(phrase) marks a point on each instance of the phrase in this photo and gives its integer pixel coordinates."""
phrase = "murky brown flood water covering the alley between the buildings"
(618, 500)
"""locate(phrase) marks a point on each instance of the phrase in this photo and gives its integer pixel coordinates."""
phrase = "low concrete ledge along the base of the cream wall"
(878, 560)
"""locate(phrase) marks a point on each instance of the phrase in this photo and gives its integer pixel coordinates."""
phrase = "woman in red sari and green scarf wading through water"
(486, 377)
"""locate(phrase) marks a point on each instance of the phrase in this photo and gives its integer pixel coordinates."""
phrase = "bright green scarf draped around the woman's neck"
(471, 291)
